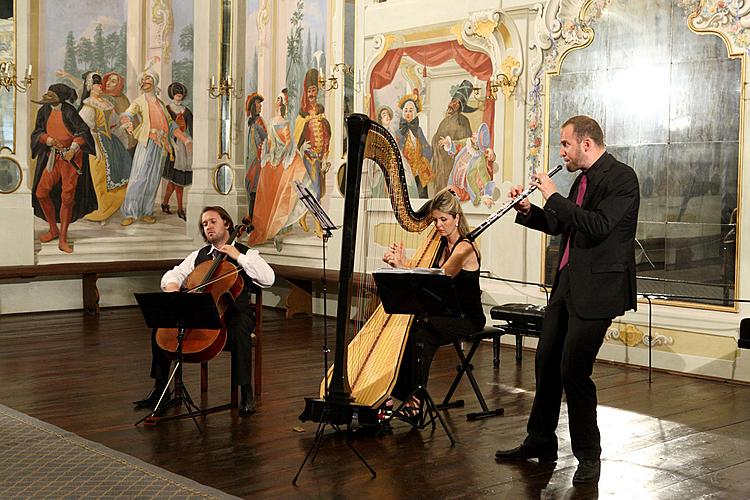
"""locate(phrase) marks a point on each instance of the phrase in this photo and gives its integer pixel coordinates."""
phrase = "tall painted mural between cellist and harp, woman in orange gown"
(292, 146)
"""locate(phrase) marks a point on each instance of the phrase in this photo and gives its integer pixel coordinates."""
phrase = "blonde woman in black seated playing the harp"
(459, 259)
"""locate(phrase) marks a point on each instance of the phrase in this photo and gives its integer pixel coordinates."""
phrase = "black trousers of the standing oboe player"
(565, 359)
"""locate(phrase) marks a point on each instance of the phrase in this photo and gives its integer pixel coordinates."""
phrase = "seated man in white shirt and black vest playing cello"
(215, 227)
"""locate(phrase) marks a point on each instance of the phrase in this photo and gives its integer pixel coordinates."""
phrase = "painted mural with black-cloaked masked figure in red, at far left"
(135, 158)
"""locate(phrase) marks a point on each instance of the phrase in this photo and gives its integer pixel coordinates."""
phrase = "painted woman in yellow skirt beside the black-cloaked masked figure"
(110, 164)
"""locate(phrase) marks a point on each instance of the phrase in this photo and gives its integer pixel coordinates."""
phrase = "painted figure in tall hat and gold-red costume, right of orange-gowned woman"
(312, 135)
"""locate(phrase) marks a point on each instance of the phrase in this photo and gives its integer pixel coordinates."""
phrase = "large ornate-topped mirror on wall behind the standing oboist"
(670, 105)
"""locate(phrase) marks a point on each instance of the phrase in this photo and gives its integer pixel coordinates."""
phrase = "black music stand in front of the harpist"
(420, 292)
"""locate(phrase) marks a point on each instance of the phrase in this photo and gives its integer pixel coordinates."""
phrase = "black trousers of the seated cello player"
(240, 325)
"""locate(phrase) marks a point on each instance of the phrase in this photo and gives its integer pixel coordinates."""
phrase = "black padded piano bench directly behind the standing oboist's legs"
(521, 320)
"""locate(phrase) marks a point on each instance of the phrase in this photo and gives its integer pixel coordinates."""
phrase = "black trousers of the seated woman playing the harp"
(424, 340)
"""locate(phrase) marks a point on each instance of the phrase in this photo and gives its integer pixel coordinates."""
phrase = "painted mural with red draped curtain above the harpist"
(424, 95)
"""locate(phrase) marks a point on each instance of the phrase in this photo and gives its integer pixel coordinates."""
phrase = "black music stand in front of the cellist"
(179, 310)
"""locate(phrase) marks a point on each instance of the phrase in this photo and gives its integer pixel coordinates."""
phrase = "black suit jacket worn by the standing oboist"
(602, 238)
